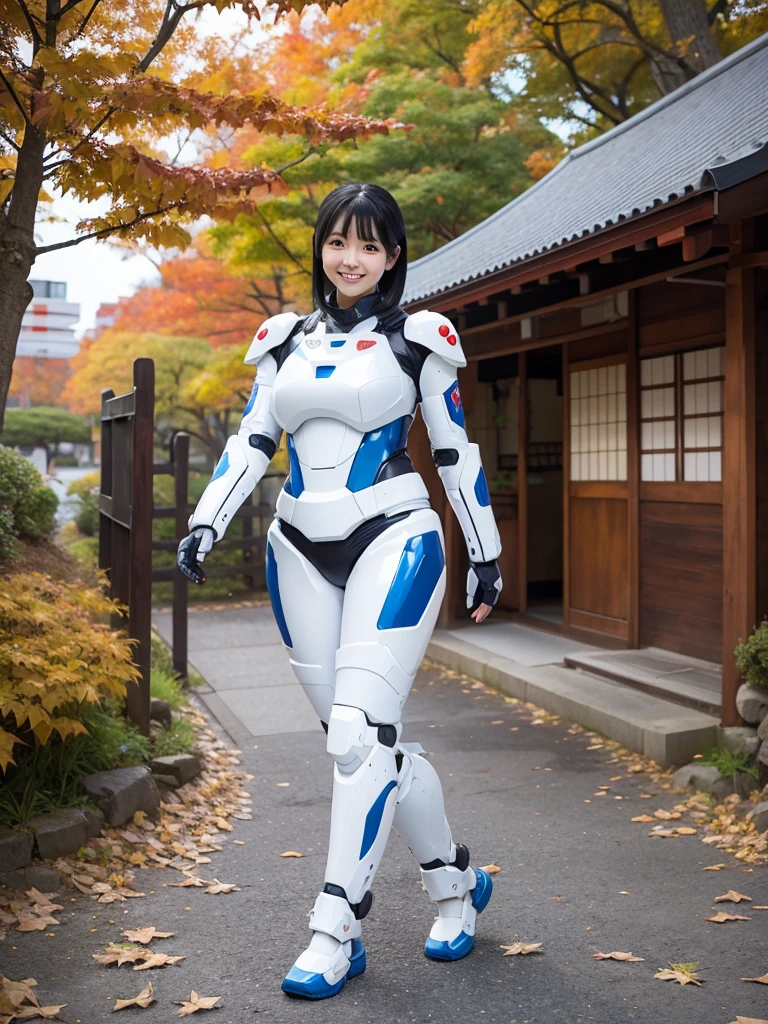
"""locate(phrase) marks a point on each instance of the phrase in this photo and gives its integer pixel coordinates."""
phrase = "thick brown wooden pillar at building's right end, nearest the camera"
(740, 475)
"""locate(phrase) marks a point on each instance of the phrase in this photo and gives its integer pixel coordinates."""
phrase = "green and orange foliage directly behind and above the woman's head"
(462, 158)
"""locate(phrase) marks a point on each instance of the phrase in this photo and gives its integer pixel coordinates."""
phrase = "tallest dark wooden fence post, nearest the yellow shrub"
(142, 504)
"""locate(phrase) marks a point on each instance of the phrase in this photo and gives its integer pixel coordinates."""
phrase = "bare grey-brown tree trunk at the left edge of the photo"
(18, 252)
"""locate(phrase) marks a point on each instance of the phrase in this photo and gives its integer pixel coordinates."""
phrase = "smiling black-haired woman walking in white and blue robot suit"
(356, 564)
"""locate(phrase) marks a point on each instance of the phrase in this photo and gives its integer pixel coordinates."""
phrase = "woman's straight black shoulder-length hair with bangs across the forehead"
(373, 208)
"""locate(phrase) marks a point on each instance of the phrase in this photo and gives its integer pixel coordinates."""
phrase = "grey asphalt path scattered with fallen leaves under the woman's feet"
(577, 875)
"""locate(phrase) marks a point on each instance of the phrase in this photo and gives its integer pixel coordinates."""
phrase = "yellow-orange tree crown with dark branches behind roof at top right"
(599, 62)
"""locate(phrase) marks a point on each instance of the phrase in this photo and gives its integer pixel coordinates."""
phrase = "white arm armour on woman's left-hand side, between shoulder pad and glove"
(246, 457)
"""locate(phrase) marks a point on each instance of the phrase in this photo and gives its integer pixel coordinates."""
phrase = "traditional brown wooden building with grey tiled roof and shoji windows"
(615, 318)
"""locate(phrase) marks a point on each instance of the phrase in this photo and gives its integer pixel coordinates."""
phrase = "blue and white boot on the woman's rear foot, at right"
(461, 893)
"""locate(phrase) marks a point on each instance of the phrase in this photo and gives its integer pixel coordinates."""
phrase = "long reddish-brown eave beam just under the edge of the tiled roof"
(680, 214)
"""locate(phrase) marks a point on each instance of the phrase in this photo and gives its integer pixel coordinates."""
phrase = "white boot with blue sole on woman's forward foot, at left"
(335, 955)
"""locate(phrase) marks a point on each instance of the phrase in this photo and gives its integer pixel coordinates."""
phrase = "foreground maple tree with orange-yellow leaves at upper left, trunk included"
(82, 112)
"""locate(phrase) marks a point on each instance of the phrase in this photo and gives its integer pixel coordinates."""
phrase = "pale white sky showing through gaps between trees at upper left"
(100, 272)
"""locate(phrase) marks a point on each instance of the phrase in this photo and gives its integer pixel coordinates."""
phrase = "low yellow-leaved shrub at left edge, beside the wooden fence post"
(57, 653)
